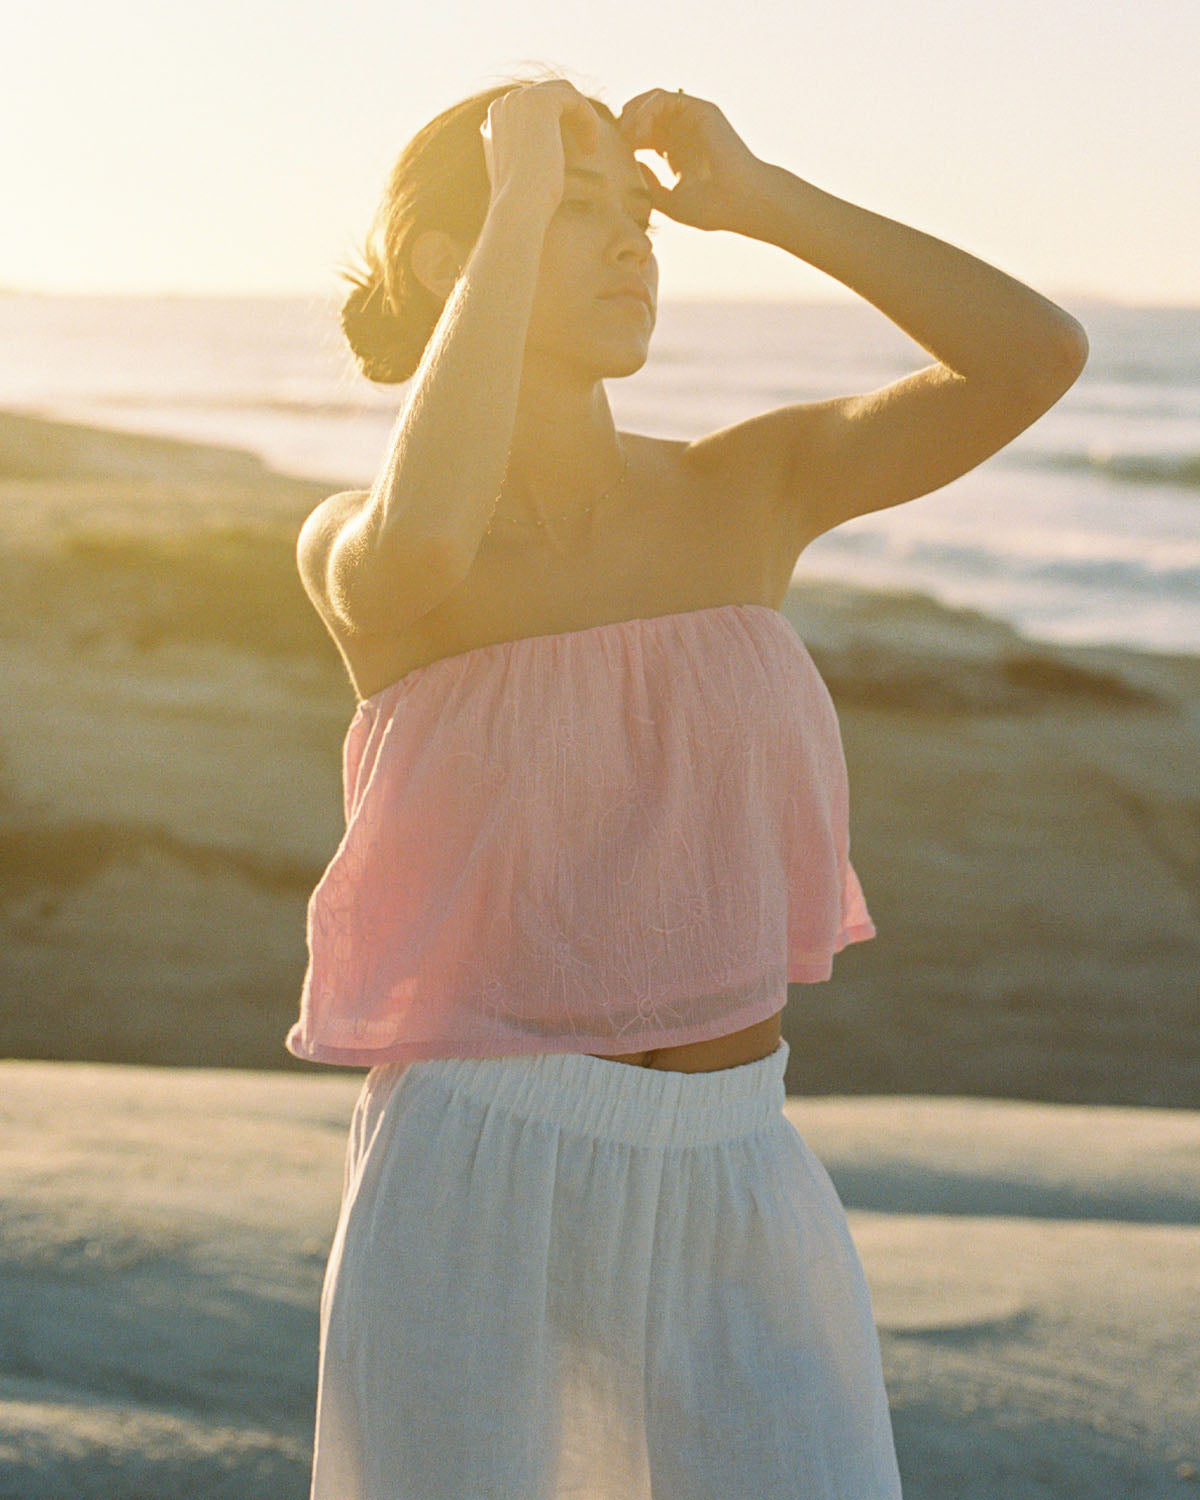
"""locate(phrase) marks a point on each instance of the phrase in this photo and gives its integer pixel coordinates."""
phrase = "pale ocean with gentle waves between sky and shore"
(1084, 530)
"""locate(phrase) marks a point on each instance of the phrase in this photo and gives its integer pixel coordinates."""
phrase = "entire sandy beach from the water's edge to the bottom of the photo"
(1004, 1084)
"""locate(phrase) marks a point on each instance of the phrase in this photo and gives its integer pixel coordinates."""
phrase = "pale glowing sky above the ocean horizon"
(242, 148)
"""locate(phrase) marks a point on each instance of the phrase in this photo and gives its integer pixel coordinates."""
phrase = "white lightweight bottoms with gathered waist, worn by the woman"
(559, 1277)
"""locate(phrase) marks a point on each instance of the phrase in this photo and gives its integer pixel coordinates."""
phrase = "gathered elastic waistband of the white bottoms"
(619, 1100)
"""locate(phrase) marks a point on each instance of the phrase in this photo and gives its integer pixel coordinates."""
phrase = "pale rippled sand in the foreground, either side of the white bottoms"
(1033, 1268)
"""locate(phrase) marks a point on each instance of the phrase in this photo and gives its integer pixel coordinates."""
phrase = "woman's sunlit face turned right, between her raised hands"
(595, 244)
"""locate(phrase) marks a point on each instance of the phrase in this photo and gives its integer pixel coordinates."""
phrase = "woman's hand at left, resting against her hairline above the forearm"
(523, 142)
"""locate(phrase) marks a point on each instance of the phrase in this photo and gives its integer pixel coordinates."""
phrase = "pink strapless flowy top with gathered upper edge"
(607, 841)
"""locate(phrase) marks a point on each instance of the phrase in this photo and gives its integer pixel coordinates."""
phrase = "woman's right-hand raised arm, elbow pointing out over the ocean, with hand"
(1004, 353)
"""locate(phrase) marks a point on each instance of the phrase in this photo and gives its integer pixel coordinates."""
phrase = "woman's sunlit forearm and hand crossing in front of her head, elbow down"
(416, 535)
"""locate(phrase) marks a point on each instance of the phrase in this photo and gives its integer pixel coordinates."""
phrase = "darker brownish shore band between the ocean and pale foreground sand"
(1025, 818)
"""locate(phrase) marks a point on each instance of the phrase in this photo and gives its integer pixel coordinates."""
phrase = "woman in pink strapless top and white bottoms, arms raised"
(596, 821)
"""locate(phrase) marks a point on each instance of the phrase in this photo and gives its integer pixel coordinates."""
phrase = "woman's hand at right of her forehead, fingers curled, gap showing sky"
(721, 182)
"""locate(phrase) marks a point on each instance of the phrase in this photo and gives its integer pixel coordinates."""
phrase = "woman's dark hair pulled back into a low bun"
(439, 182)
